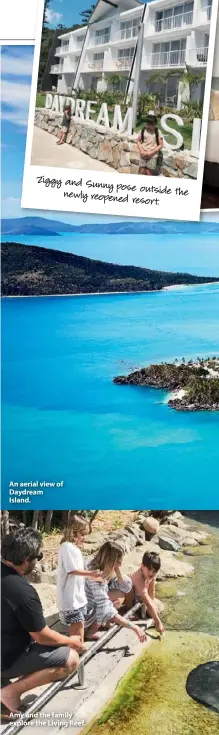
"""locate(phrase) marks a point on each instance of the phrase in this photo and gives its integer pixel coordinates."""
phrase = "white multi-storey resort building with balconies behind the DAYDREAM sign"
(110, 50)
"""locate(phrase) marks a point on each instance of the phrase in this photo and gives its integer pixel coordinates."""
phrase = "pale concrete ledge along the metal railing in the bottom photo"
(74, 707)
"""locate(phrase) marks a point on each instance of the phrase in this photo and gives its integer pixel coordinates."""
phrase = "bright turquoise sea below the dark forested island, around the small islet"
(114, 446)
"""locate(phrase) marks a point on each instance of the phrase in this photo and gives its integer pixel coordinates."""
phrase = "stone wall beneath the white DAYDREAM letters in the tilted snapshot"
(116, 149)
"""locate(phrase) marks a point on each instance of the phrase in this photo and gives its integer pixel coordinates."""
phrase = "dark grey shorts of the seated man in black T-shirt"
(36, 658)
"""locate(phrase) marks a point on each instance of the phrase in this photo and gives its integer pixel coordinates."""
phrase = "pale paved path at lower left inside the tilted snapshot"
(46, 152)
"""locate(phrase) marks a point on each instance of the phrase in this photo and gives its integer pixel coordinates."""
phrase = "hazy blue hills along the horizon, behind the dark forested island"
(46, 227)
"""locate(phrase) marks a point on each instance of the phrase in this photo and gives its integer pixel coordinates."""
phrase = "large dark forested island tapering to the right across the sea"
(36, 271)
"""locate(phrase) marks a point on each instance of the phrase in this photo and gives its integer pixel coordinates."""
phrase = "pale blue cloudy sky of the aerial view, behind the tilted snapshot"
(17, 64)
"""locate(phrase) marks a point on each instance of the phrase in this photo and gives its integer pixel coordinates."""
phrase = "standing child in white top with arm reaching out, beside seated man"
(71, 597)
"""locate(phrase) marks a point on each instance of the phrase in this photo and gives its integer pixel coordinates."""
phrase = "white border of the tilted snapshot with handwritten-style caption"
(34, 196)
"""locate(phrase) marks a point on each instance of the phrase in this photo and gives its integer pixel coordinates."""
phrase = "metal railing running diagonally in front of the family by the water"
(53, 689)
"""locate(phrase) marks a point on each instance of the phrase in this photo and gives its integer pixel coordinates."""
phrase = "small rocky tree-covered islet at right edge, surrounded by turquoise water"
(194, 386)
